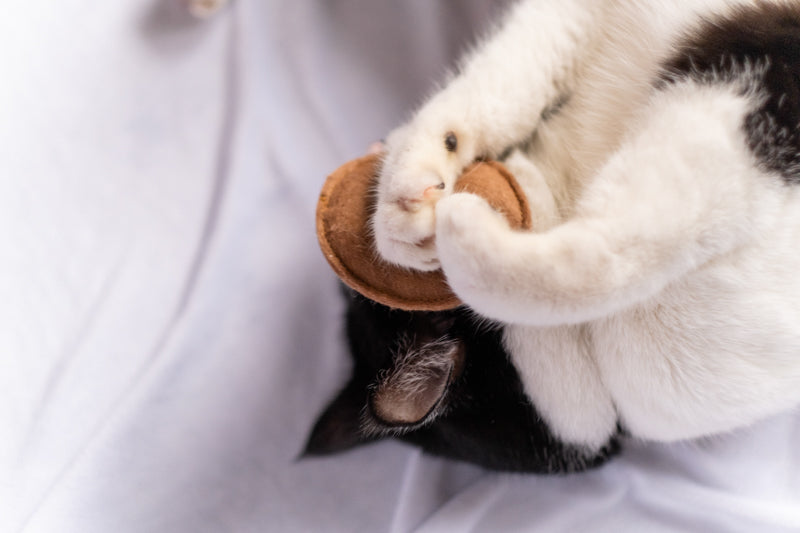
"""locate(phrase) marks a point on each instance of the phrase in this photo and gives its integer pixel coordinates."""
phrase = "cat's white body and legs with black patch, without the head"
(658, 144)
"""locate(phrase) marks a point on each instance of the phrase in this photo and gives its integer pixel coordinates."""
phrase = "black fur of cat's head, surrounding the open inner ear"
(487, 419)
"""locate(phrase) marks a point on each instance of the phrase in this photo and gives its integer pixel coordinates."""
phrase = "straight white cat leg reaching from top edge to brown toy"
(495, 101)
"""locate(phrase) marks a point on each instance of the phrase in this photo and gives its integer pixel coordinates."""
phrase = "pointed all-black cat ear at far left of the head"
(338, 427)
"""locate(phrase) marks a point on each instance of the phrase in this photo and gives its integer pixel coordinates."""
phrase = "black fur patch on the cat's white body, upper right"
(765, 38)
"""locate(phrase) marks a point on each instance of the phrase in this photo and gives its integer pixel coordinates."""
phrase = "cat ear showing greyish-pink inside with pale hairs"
(413, 392)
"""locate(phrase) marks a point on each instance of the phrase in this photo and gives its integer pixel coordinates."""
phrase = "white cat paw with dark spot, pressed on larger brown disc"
(420, 167)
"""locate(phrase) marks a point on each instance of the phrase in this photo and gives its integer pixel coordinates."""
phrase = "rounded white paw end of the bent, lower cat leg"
(470, 235)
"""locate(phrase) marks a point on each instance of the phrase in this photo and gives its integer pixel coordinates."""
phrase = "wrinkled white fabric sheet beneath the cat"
(170, 330)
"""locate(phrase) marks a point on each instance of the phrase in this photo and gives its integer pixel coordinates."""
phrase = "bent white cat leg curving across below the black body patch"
(676, 194)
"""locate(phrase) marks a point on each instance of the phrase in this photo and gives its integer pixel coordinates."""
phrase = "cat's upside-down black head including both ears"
(441, 381)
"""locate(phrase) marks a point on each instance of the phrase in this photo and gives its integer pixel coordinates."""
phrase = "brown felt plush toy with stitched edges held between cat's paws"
(343, 212)
